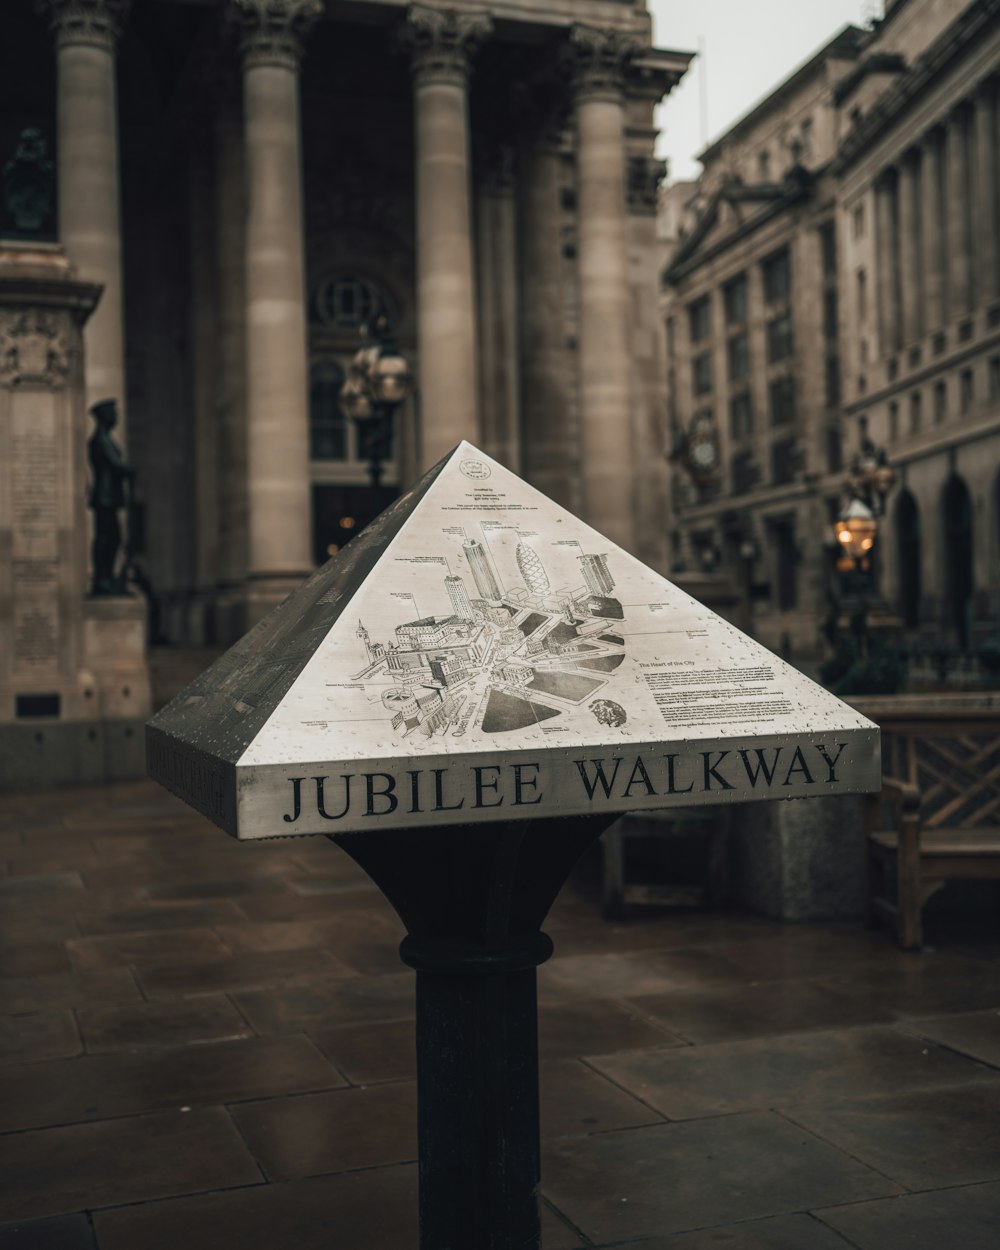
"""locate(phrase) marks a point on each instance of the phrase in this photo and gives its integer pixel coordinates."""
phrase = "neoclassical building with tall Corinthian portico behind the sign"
(251, 179)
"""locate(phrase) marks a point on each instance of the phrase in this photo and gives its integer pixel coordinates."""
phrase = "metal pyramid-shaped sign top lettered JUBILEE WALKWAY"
(481, 654)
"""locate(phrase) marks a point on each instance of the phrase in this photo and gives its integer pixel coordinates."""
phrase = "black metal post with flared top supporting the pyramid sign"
(473, 899)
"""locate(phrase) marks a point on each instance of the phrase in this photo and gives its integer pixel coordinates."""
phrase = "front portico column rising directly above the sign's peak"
(443, 43)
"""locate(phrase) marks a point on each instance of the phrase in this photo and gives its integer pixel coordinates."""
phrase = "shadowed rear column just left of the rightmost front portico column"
(548, 441)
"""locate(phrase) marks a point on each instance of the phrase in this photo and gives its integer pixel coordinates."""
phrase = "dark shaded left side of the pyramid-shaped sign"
(194, 743)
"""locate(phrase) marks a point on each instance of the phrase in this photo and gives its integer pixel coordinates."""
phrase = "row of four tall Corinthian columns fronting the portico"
(272, 318)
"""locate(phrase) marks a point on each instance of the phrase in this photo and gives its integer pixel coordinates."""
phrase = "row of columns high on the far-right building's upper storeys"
(938, 222)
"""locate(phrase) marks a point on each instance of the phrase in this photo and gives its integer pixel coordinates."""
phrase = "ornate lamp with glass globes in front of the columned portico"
(379, 382)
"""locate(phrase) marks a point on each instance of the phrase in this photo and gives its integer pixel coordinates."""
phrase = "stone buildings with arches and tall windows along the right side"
(837, 279)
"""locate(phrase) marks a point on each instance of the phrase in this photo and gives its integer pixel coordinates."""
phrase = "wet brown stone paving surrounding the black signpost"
(209, 1047)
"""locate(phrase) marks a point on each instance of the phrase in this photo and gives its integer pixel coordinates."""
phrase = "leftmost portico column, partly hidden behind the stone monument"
(87, 34)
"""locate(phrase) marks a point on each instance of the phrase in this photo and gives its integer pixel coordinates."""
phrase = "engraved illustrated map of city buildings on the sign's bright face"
(514, 651)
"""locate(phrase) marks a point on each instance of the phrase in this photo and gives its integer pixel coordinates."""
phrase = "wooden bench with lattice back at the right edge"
(938, 817)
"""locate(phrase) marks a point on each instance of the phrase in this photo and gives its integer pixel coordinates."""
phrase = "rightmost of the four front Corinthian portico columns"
(601, 59)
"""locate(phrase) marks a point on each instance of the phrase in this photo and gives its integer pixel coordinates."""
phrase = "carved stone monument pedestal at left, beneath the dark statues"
(73, 671)
